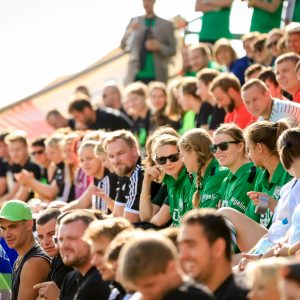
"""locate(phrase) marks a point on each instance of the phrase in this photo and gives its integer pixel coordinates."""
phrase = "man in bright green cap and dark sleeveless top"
(32, 265)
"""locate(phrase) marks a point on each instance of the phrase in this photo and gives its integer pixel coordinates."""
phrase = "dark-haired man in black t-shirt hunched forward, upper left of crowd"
(104, 118)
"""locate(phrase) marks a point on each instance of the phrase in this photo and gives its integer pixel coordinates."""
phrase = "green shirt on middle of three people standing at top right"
(263, 21)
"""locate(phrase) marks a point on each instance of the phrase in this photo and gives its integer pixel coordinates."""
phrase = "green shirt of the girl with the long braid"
(210, 185)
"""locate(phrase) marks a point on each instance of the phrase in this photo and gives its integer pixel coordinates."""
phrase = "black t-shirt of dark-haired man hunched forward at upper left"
(110, 120)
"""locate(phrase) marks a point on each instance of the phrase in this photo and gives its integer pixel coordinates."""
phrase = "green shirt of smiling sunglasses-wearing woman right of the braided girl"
(235, 187)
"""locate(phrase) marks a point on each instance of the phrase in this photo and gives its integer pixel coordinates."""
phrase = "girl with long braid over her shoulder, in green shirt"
(199, 161)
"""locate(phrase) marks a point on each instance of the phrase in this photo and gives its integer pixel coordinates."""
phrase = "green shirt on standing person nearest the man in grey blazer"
(215, 25)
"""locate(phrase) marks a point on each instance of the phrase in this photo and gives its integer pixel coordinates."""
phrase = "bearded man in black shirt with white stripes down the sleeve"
(122, 150)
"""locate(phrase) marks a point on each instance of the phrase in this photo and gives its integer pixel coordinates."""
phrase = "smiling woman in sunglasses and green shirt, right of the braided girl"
(229, 149)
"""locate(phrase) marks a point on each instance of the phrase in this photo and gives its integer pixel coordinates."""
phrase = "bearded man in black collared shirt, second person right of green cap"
(84, 282)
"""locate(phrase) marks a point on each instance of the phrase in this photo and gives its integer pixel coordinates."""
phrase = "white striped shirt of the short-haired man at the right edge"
(282, 109)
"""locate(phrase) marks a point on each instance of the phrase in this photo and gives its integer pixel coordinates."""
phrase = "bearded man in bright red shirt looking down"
(226, 89)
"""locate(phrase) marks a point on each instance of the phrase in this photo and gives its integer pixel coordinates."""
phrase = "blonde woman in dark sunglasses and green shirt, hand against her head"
(166, 154)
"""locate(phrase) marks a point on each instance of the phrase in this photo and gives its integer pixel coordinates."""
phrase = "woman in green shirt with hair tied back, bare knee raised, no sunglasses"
(261, 139)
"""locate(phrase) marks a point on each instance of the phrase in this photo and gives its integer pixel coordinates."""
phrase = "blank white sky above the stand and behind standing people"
(42, 40)
